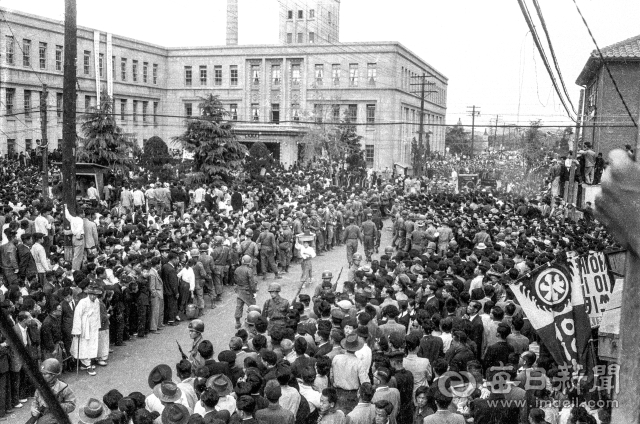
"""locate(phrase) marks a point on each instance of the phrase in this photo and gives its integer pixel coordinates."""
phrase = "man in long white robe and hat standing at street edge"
(86, 328)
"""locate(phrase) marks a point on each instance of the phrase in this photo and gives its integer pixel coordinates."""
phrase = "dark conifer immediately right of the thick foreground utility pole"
(104, 142)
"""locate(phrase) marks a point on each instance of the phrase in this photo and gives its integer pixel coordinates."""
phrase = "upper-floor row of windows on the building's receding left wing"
(86, 61)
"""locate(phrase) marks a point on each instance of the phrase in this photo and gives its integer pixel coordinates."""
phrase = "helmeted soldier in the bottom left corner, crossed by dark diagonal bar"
(51, 370)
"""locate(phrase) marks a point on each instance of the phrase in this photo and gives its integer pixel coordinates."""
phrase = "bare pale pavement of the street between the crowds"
(129, 366)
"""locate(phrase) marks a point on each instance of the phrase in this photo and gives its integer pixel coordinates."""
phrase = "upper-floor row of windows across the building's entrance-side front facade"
(276, 75)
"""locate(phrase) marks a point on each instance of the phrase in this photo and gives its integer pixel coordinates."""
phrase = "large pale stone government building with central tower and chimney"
(269, 89)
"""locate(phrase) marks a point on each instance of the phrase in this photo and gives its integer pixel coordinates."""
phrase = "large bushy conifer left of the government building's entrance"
(217, 154)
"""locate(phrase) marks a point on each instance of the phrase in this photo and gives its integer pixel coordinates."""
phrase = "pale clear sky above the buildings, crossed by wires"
(483, 46)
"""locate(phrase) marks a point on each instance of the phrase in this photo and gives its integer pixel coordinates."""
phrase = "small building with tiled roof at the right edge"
(607, 124)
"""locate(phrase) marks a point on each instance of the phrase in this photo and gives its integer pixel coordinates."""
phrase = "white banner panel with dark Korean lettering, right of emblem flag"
(596, 284)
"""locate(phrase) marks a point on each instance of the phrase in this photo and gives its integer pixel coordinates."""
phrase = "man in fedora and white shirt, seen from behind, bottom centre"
(348, 373)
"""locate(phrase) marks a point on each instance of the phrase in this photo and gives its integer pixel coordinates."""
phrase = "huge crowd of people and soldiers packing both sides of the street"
(381, 345)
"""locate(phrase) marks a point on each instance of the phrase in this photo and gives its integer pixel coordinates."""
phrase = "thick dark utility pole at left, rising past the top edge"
(69, 107)
